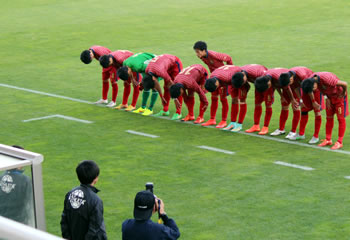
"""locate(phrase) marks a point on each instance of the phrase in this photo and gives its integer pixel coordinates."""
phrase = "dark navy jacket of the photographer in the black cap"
(148, 230)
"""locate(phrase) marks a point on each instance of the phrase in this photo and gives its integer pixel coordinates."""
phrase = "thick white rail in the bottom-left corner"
(11, 230)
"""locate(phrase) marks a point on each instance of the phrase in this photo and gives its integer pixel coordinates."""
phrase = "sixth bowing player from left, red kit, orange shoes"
(219, 83)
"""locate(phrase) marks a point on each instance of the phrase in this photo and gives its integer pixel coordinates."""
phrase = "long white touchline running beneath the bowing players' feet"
(167, 118)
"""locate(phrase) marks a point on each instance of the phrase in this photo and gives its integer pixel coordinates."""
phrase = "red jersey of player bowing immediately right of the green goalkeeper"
(162, 65)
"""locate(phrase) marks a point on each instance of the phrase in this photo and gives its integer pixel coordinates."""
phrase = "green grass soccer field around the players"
(210, 195)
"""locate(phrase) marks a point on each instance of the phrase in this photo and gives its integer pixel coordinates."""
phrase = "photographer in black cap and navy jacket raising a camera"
(142, 227)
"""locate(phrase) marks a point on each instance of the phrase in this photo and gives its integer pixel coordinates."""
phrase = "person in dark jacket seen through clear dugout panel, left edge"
(16, 196)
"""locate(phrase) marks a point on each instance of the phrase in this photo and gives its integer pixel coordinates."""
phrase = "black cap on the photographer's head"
(143, 205)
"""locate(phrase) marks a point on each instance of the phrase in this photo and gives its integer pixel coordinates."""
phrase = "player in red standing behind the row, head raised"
(213, 59)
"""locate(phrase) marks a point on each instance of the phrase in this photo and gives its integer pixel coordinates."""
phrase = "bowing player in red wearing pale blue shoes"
(240, 83)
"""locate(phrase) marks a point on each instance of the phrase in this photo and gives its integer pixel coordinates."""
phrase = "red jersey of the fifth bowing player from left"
(192, 77)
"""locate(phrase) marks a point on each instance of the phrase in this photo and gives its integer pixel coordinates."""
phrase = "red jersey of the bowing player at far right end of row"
(328, 84)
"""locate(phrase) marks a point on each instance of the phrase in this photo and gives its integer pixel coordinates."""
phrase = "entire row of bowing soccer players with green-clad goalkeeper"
(299, 87)
